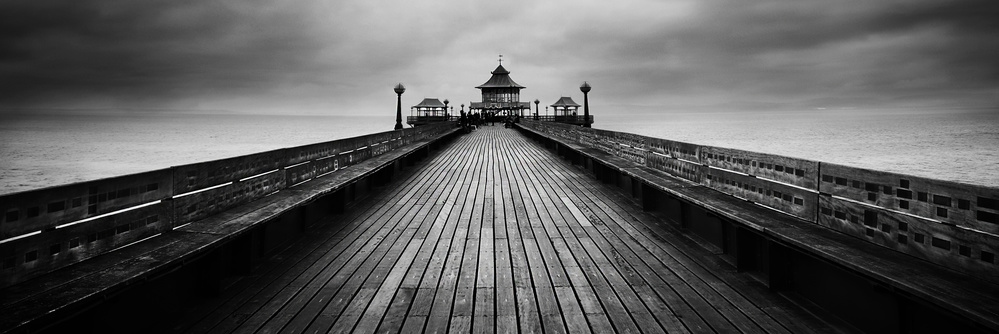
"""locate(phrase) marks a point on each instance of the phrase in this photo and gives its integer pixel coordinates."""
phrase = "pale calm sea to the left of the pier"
(38, 151)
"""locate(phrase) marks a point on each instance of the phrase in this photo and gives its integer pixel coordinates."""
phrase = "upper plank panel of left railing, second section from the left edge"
(203, 175)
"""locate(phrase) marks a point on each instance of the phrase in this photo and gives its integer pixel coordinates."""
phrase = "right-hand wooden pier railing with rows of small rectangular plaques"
(948, 223)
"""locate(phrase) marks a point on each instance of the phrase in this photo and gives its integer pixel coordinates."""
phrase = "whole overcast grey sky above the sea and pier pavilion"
(344, 57)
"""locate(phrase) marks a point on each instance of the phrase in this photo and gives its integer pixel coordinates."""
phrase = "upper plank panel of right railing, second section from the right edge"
(798, 172)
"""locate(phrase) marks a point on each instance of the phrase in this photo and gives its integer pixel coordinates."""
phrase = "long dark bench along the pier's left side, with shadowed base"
(204, 250)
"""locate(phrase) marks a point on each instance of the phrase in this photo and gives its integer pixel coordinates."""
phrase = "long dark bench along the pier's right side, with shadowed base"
(871, 287)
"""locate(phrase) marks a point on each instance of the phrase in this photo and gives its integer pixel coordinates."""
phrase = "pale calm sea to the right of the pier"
(953, 145)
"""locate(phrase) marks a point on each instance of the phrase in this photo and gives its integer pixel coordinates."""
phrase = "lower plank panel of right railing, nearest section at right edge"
(948, 245)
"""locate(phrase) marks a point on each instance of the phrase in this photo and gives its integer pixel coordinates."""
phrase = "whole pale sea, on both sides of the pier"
(40, 150)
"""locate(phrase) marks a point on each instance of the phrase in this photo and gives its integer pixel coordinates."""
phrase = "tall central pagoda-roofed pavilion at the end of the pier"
(500, 96)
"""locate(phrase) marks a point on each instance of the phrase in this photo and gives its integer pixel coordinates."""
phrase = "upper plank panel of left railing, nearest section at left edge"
(36, 210)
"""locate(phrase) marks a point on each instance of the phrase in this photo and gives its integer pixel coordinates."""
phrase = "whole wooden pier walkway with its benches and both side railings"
(539, 228)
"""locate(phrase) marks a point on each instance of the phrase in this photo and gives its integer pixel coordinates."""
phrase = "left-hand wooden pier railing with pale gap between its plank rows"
(45, 229)
